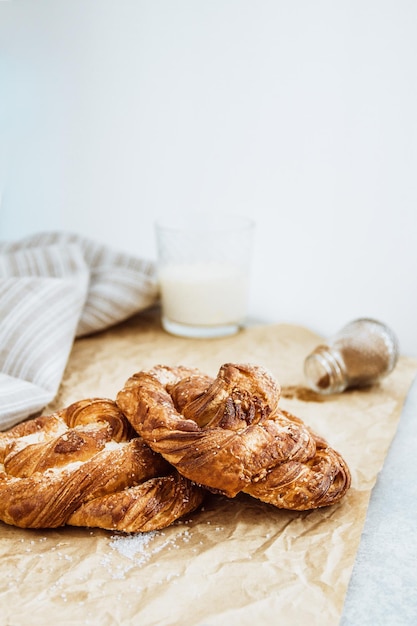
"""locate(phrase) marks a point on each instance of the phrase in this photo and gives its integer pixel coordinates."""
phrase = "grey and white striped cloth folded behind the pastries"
(55, 287)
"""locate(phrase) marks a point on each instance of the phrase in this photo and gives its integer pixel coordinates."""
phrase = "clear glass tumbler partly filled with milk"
(203, 272)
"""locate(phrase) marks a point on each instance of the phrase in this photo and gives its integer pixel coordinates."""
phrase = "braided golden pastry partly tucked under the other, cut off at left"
(85, 466)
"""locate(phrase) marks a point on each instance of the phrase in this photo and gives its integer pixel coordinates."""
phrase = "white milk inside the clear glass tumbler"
(204, 294)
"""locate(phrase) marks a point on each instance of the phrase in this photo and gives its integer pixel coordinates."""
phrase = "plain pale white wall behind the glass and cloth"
(299, 113)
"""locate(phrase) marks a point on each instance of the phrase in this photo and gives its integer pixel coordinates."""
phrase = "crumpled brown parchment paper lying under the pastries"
(235, 562)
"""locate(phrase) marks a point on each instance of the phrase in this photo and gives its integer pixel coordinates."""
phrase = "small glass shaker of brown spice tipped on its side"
(360, 354)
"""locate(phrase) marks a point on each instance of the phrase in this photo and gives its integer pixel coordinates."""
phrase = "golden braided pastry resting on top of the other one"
(229, 435)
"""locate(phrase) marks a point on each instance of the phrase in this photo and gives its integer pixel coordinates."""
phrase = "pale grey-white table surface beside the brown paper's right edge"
(383, 586)
